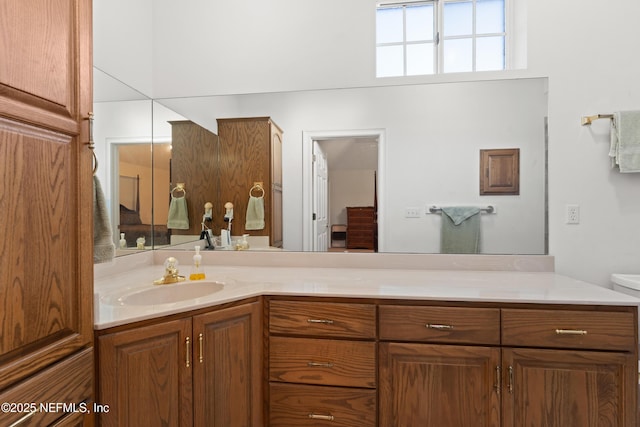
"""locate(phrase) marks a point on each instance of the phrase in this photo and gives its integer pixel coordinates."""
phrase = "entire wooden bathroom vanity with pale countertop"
(296, 346)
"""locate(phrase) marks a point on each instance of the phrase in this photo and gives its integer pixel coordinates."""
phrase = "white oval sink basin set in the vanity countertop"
(163, 294)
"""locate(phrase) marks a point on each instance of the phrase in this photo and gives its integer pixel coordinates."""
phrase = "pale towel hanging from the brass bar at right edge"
(625, 141)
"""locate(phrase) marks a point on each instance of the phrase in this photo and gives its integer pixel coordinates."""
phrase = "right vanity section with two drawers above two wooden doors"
(549, 366)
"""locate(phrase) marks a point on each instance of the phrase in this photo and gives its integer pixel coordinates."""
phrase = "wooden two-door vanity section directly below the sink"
(200, 370)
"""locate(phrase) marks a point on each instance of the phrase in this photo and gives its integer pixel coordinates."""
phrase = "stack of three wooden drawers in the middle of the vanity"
(322, 364)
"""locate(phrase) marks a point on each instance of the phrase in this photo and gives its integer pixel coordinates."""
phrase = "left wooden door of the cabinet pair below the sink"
(145, 375)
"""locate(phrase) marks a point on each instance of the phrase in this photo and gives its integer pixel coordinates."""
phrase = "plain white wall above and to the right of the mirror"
(586, 48)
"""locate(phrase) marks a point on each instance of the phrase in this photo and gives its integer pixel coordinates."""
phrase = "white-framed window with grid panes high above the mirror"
(440, 36)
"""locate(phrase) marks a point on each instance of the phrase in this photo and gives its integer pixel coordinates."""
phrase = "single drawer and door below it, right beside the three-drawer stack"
(439, 366)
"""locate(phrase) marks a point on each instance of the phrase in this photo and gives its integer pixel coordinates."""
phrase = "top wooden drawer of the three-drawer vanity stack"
(322, 319)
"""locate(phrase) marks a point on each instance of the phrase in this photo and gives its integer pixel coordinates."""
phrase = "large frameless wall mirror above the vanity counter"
(400, 149)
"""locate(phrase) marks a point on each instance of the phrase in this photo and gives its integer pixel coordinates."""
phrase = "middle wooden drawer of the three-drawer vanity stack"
(322, 361)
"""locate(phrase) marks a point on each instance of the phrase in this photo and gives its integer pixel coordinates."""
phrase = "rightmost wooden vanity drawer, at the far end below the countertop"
(568, 329)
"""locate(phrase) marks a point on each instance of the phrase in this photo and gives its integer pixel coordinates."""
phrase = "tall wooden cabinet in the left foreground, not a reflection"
(46, 267)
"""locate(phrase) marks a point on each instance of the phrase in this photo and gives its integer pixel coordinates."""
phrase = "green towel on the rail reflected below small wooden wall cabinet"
(460, 230)
